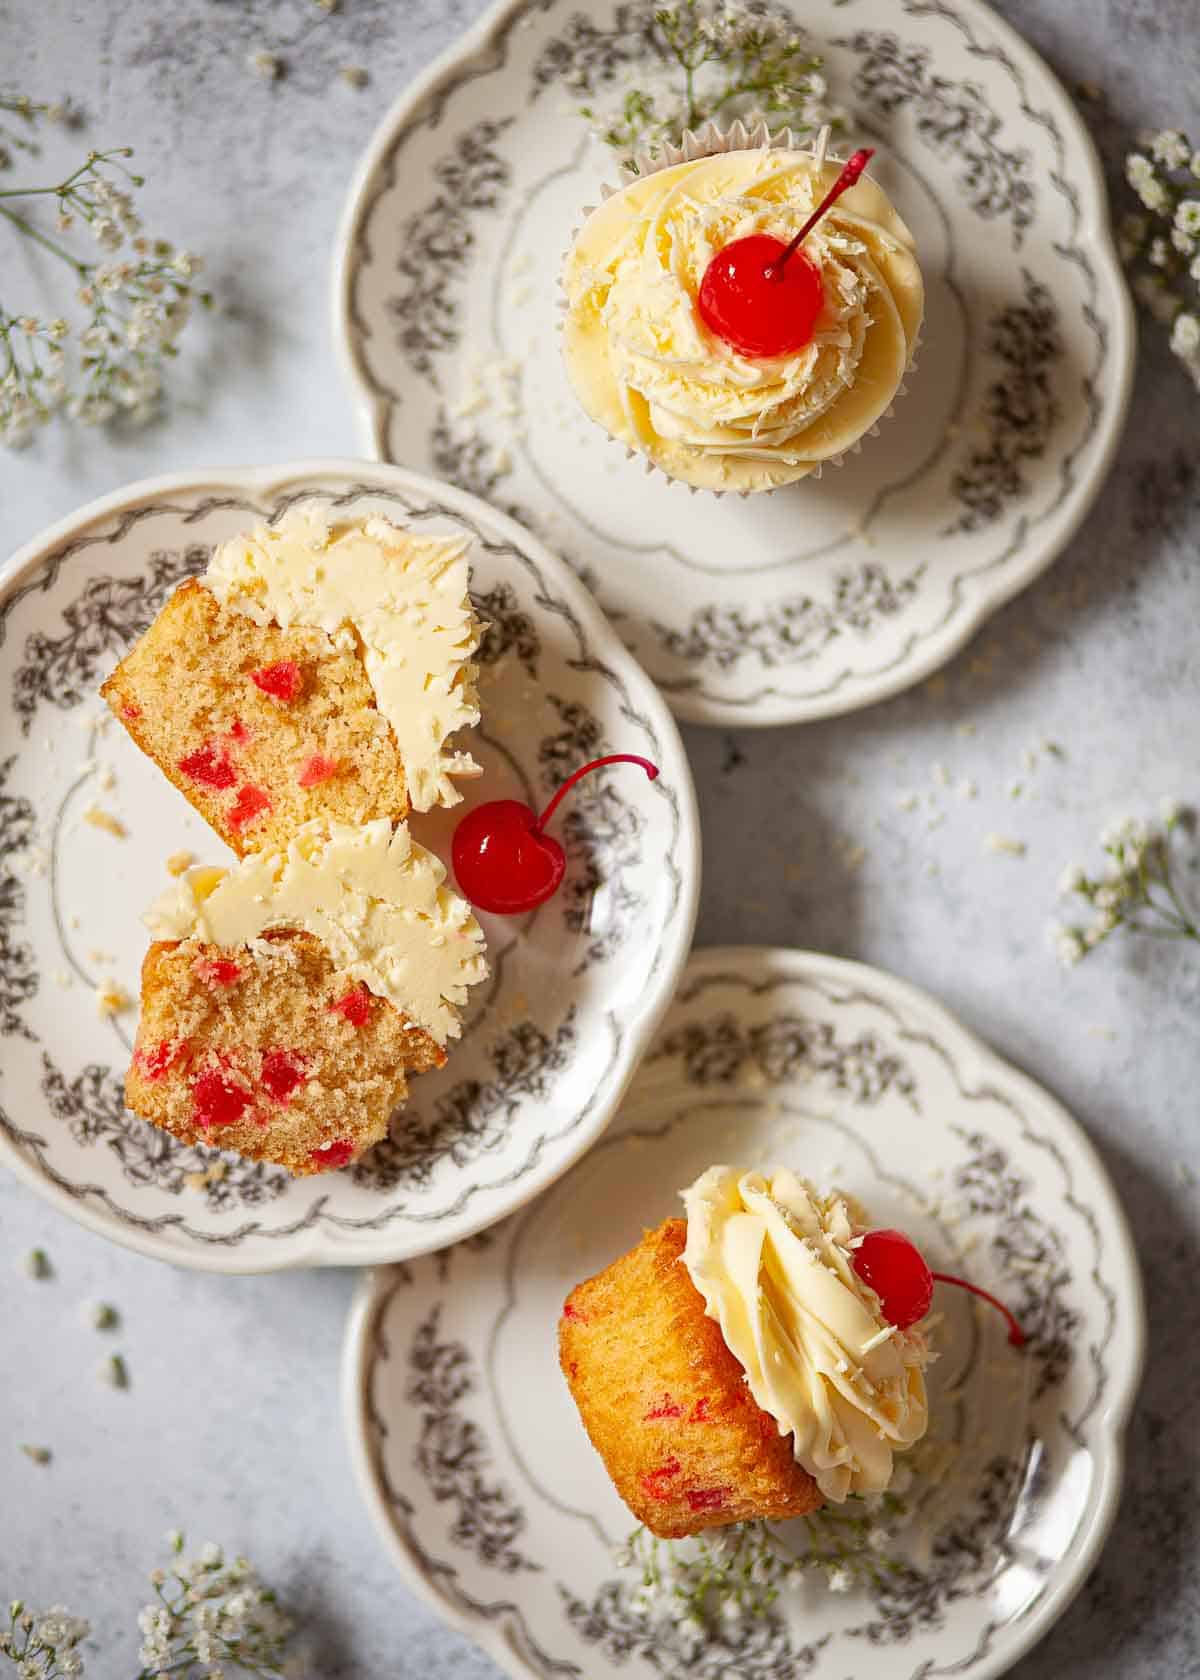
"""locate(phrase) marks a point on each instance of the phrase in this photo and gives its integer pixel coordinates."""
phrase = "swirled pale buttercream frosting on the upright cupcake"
(648, 369)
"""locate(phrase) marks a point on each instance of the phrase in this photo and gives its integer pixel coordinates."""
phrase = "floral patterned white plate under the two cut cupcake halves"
(577, 987)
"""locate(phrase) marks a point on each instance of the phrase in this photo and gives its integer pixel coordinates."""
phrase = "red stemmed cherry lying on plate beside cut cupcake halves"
(503, 858)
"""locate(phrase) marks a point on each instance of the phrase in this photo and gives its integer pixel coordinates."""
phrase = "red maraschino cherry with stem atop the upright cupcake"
(764, 297)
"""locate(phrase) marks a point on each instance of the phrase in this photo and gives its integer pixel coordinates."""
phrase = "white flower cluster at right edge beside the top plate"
(1164, 246)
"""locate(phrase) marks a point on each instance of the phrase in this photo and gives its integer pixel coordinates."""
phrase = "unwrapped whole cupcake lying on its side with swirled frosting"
(737, 1367)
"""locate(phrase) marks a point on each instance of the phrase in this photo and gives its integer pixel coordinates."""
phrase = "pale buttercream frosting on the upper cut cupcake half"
(403, 597)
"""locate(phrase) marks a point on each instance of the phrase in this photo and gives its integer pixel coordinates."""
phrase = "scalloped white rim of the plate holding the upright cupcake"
(777, 710)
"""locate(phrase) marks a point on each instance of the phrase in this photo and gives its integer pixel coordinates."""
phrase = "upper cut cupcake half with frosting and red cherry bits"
(318, 669)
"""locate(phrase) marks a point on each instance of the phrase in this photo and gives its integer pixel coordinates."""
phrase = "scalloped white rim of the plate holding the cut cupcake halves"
(318, 1247)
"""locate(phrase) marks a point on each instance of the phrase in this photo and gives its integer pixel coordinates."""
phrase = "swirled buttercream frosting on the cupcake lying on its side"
(774, 1263)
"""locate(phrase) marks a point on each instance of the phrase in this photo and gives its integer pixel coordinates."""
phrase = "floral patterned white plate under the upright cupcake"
(828, 596)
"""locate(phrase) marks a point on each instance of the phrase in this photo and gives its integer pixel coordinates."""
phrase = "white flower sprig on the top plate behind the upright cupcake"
(725, 60)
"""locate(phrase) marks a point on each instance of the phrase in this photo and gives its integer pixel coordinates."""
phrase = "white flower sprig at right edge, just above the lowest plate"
(1137, 890)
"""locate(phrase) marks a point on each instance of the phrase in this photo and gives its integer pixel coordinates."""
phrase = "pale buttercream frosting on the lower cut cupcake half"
(376, 900)
